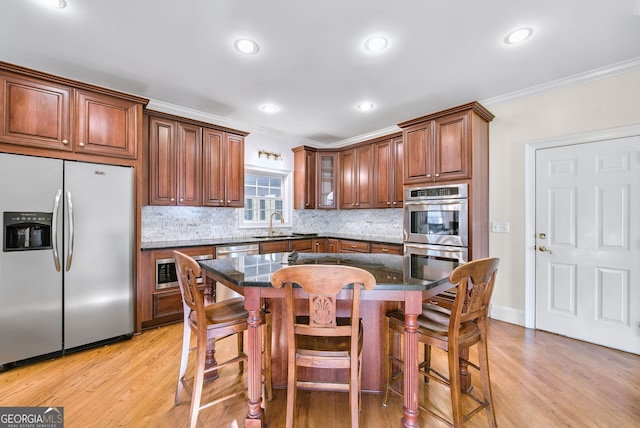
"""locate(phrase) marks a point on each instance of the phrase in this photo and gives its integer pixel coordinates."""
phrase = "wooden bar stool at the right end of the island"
(453, 330)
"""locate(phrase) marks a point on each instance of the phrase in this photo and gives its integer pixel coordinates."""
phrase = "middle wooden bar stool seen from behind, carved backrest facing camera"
(316, 336)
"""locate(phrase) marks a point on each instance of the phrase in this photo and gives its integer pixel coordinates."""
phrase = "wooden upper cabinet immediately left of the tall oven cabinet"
(388, 173)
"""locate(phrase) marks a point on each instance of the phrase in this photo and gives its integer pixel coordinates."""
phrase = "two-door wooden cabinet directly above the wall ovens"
(442, 146)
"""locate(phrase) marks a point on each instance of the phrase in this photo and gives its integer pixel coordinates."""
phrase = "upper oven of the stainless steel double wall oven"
(437, 215)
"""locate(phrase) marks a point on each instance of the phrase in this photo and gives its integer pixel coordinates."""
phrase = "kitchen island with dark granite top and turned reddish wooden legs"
(398, 285)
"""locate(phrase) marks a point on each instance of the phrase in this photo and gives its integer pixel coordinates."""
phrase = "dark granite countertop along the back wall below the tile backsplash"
(161, 245)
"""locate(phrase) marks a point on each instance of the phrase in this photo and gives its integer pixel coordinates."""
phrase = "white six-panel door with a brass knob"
(588, 242)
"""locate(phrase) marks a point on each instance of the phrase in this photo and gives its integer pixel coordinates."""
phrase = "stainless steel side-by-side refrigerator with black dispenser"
(66, 267)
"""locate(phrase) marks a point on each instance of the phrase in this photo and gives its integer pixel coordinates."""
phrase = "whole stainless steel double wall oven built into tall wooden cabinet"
(436, 230)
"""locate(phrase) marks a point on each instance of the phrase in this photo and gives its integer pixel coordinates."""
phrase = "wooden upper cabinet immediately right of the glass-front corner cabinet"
(356, 173)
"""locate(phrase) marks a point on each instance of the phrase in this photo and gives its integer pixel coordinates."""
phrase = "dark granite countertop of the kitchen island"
(391, 271)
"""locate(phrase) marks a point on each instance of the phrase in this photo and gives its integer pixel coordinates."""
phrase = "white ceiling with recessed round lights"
(311, 63)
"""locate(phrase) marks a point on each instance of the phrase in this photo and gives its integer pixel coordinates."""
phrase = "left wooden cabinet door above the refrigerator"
(35, 113)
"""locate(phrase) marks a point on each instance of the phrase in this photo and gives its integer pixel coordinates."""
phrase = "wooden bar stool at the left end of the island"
(212, 322)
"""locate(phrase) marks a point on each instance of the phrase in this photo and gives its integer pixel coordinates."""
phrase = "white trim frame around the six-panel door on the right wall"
(530, 202)
